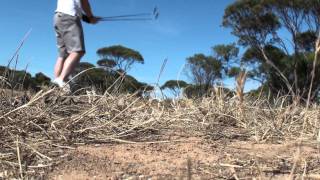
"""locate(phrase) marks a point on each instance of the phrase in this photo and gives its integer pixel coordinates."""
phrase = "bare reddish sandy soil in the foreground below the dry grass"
(190, 158)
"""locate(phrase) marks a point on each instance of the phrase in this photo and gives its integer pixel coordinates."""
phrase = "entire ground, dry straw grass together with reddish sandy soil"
(208, 138)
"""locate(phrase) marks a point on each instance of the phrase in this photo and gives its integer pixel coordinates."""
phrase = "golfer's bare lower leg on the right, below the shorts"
(69, 64)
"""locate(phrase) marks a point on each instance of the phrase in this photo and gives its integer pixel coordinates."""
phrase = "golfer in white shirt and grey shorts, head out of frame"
(70, 38)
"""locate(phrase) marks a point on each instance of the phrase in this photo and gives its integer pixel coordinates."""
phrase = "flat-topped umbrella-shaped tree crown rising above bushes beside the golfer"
(119, 57)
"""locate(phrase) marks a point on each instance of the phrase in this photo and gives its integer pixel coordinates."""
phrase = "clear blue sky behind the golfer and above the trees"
(185, 27)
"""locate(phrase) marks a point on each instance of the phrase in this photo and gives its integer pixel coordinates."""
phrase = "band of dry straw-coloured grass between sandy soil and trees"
(37, 132)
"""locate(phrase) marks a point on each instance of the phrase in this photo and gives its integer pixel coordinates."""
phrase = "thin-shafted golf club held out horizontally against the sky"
(128, 17)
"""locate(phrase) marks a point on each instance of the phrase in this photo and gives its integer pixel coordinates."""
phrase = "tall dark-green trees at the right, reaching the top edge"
(271, 61)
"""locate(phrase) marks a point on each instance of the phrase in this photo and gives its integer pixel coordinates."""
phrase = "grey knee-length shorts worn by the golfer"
(69, 34)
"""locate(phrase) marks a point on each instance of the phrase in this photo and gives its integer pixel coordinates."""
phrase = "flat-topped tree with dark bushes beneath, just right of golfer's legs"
(112, 75)
